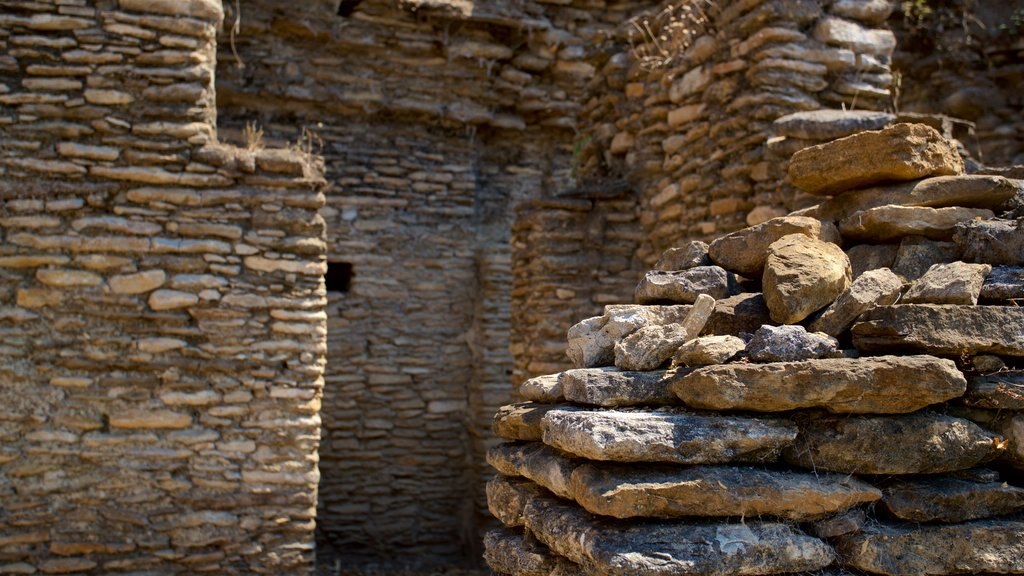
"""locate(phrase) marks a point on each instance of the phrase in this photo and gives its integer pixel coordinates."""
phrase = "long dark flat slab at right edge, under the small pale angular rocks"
(943, 331)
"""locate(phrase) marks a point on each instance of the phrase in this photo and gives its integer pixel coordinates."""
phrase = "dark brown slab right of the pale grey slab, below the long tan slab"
(923, 443)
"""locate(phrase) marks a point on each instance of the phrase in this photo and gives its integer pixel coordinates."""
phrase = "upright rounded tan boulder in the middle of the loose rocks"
(802, 275)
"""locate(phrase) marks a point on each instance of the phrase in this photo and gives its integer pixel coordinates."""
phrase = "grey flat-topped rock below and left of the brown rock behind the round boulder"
(684, 287)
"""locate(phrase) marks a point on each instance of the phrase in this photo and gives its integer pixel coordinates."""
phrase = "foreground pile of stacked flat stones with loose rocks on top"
(834, 391)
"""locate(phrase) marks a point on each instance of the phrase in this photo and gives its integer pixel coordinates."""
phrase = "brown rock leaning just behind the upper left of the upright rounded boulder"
(745, 252)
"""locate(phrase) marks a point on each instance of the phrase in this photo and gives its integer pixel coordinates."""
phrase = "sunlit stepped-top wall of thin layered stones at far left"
(161, 306)
